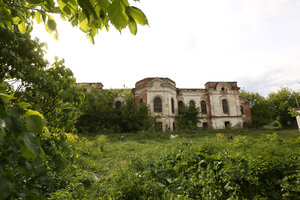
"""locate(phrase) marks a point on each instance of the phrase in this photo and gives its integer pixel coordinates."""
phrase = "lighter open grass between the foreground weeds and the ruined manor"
(116, 152)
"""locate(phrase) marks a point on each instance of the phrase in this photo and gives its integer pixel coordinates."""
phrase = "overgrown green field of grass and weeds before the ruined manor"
(113, 165)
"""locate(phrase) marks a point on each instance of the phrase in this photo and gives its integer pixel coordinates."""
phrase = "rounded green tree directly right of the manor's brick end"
(260, 108)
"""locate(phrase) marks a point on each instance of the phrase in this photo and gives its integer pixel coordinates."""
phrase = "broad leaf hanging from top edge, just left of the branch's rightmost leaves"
(117, 15)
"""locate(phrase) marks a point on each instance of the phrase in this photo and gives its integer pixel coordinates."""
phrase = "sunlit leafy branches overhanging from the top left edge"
(90, 16)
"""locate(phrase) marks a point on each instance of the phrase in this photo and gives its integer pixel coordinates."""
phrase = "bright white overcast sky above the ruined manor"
(253, 42)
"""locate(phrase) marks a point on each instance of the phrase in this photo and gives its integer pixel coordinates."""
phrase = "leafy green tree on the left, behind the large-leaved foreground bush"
(50, 89)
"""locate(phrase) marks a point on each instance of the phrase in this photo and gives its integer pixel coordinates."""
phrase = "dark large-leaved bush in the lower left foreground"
(31, 158)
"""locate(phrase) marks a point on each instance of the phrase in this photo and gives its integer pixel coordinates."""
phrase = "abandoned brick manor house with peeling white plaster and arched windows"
(219, 102)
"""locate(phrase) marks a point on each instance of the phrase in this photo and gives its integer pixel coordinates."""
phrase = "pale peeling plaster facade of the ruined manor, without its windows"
(166, 92)
